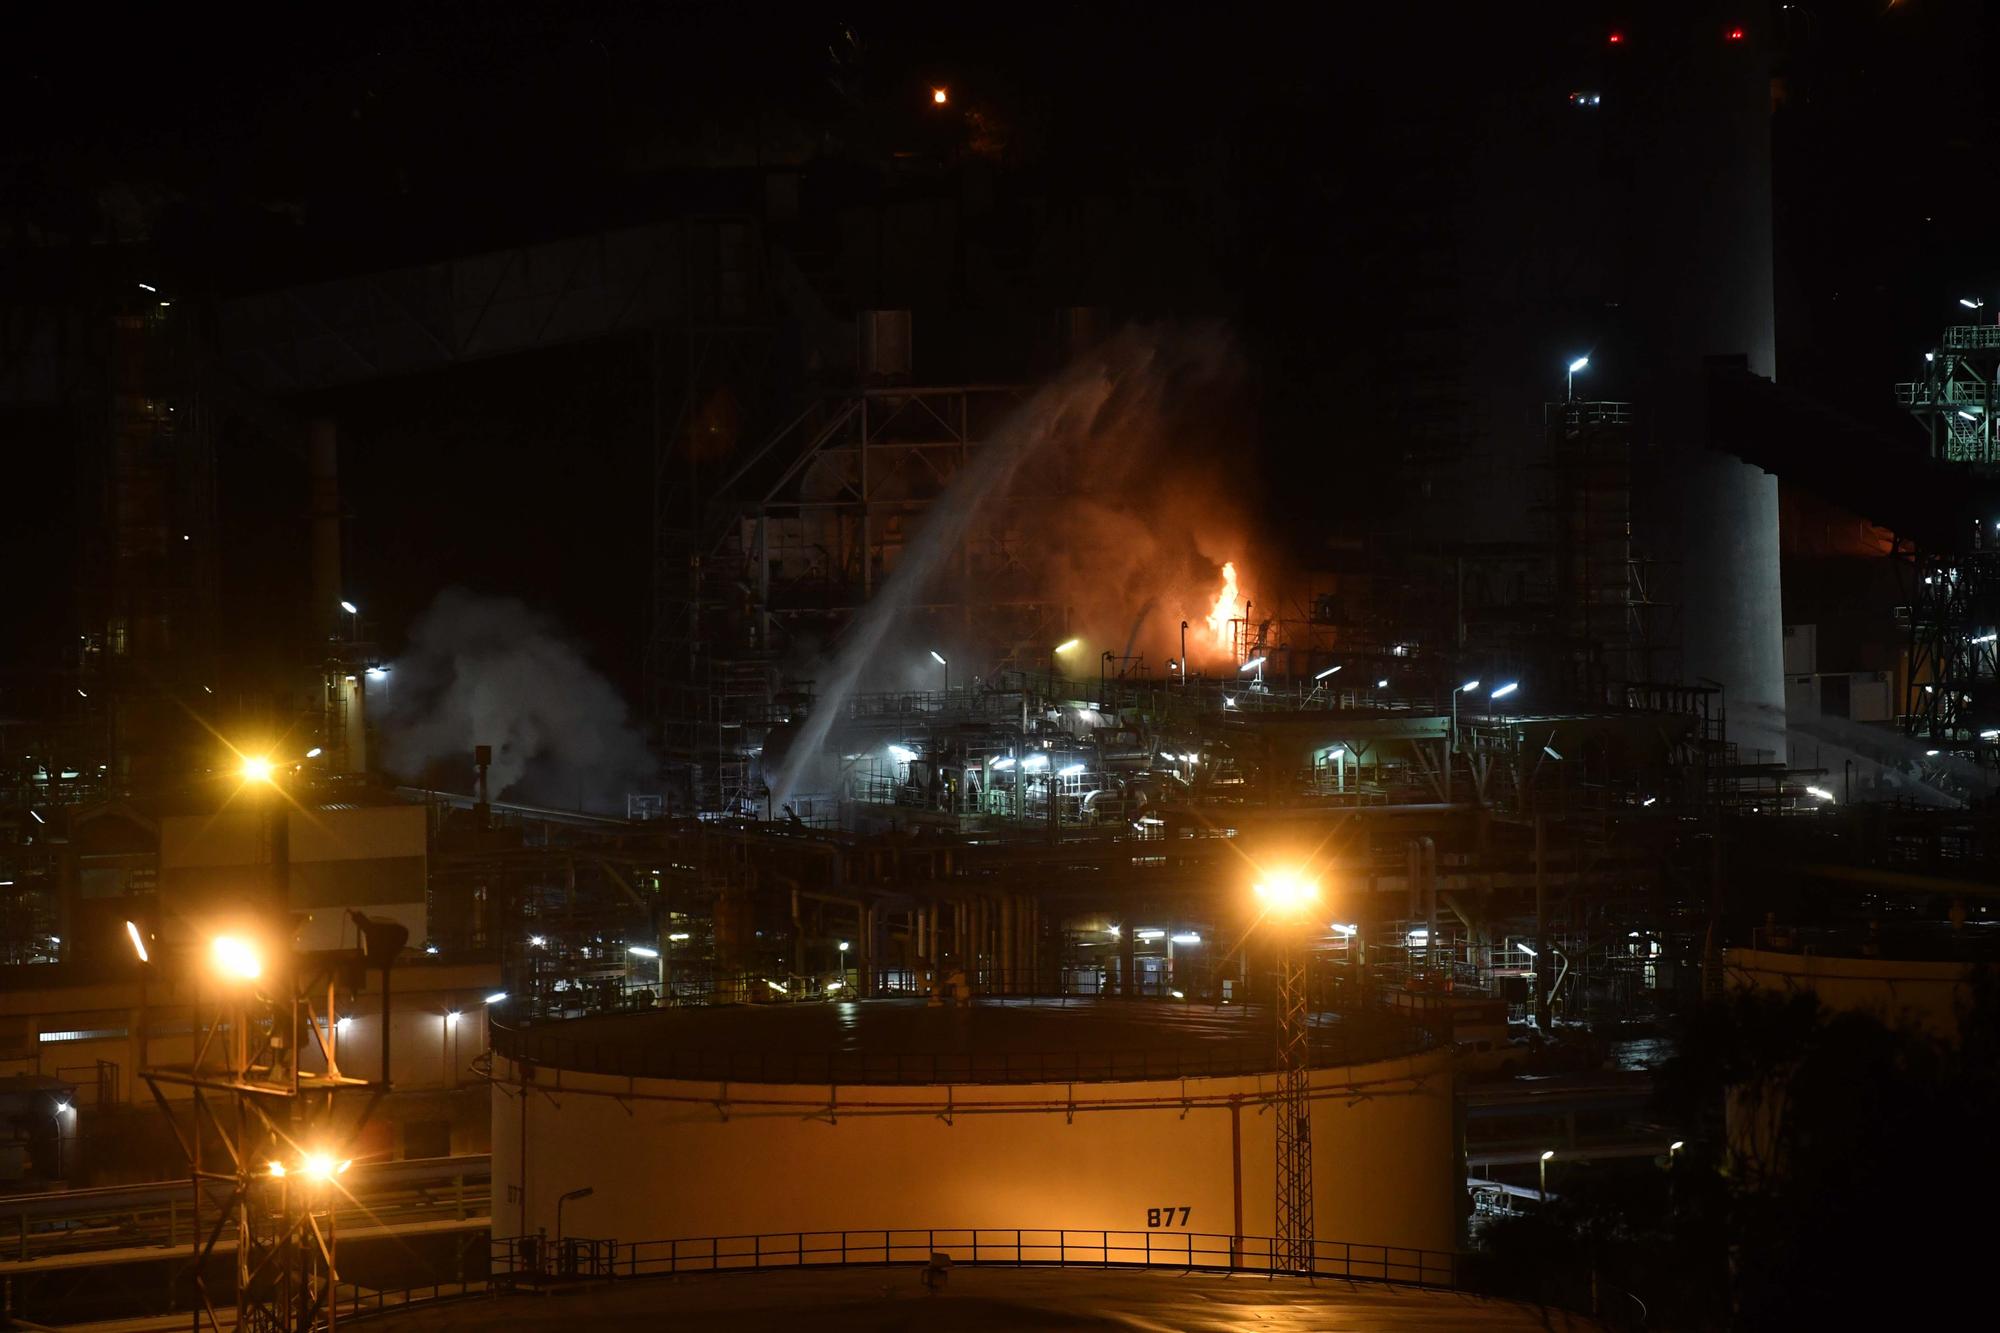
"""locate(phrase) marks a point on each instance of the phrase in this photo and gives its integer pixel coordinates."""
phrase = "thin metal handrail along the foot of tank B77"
(533, 1260)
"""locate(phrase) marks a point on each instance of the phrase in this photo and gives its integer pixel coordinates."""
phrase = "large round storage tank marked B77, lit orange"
(1077, 1116)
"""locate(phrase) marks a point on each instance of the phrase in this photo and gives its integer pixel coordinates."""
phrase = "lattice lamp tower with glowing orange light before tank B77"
(1287, 898)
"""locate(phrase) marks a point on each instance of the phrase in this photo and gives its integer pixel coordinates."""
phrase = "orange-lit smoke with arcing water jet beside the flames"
(1115, 487)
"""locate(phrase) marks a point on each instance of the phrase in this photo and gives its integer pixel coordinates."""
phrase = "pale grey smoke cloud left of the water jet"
(491, 672)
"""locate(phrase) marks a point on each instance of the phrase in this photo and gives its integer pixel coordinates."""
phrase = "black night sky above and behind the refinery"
(1285, 147)
